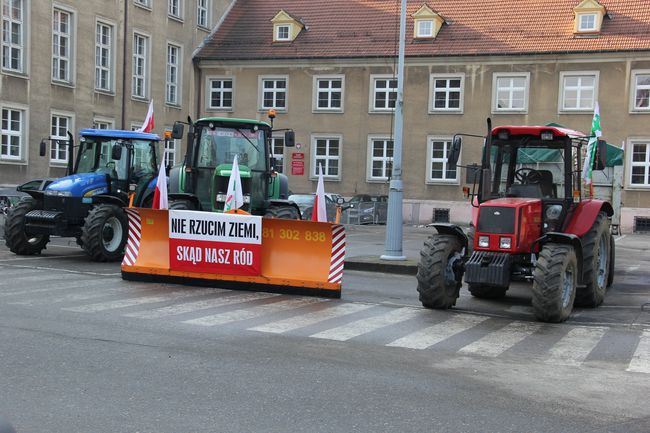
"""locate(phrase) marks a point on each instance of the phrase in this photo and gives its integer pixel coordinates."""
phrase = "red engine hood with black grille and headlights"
(508, 225)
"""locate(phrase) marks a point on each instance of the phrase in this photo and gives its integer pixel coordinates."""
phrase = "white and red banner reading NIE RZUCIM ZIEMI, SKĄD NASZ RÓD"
(215, 243)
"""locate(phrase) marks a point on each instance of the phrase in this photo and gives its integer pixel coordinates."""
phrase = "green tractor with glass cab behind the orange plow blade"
(201, 182)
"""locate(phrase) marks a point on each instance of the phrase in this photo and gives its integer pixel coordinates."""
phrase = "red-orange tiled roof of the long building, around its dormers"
(369, 28)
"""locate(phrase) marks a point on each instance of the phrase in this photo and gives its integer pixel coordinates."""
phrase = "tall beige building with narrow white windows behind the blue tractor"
(73, 64)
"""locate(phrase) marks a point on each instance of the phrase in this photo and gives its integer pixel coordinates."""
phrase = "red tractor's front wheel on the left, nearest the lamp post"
(438, 280)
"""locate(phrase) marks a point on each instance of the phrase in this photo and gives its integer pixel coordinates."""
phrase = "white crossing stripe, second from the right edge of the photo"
(575, 346)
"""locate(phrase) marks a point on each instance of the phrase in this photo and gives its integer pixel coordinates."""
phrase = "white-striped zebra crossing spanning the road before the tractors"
(393, 326)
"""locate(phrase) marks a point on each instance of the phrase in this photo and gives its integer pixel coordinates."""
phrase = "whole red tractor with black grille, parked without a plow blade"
(531, 222)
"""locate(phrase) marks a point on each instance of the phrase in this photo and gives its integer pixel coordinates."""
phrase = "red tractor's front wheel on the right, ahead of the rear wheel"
(554, 283)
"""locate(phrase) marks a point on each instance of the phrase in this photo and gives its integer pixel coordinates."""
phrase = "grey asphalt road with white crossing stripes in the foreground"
(85, 351)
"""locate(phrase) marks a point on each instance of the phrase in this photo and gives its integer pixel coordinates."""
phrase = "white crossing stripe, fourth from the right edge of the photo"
(434, 334)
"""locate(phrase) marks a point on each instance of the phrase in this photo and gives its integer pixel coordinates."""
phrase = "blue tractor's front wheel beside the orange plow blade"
(104, 233)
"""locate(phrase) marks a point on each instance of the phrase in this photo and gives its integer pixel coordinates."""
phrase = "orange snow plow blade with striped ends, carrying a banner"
(235, 251)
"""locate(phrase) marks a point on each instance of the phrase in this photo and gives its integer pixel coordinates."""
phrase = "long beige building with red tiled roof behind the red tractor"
(331, 77)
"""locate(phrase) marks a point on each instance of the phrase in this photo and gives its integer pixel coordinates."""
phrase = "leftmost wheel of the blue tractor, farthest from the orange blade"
(16, 239)
